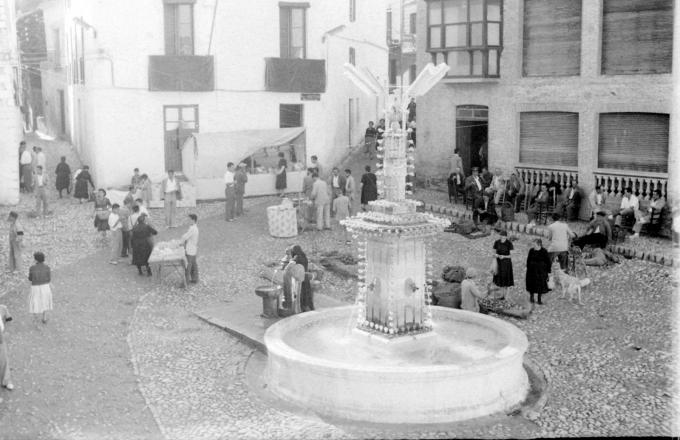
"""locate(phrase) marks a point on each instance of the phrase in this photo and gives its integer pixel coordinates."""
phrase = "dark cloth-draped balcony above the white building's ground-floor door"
(181, 73)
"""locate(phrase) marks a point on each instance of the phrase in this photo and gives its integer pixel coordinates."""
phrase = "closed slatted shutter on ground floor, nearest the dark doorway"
(548, 138)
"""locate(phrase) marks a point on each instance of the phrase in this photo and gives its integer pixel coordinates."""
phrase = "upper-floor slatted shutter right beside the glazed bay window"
(552, 37)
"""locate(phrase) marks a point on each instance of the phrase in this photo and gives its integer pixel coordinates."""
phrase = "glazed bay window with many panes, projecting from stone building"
(467, 35)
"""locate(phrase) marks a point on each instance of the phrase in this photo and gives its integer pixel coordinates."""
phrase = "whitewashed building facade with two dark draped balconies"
(129, 81)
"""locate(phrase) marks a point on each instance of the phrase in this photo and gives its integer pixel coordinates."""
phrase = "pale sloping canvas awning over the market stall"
(205, 155)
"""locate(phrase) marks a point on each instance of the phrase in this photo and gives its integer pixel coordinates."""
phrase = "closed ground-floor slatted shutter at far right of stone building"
(634, 141)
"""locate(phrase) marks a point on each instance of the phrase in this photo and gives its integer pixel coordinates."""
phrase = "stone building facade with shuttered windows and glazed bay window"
(566, 98)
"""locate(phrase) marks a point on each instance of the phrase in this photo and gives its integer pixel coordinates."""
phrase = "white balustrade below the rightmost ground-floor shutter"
(614, 183)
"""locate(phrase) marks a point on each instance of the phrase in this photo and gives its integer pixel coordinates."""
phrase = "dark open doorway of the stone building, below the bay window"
(472, 134)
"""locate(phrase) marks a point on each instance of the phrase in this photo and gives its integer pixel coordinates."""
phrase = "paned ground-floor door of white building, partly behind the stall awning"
(180, 122)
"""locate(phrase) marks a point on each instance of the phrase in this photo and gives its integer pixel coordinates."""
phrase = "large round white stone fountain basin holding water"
(469, 366)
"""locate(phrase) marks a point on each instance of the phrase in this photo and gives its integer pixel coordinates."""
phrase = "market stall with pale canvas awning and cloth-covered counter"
(205, 157)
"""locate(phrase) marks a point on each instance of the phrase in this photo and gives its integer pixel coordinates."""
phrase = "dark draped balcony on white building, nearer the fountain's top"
(294, 75)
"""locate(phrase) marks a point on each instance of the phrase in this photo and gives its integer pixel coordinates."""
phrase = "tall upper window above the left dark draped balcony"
(179, 28)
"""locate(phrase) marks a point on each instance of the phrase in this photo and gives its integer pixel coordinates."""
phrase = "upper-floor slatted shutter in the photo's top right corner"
(637, 36)
